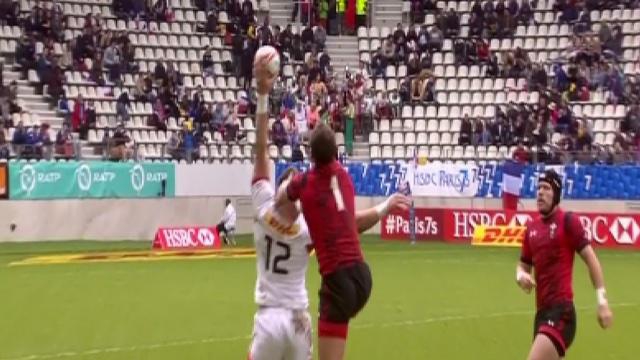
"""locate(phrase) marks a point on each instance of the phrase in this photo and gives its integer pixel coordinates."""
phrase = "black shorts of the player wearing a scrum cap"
(558, 323)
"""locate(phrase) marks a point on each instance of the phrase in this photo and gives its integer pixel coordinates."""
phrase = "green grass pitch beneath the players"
(430, 301)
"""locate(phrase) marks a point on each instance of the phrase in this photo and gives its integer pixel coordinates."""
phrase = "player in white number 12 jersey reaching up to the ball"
(282, 324)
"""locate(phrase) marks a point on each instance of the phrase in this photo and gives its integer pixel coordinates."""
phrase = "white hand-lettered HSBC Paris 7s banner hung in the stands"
(442, 180)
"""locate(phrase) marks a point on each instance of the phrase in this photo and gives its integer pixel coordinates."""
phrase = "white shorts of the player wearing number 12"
(281, 334)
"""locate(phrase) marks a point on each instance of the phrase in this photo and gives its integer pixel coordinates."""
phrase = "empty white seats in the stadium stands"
(430, 130)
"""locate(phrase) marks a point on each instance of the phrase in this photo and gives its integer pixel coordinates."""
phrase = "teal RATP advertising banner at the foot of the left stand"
(74, 180)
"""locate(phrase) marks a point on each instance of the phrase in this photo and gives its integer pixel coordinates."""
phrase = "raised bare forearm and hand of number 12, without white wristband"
(264, 83)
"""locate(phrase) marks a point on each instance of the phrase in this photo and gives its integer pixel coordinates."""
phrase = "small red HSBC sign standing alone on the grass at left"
(181, 238)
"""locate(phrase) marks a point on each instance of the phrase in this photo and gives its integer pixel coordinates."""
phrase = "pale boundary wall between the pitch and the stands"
(139, 219)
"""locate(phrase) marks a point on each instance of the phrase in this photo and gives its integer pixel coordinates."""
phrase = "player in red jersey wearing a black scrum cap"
(550, 244)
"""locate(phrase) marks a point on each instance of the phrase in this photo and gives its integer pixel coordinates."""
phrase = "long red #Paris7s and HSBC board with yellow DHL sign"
(497, 227)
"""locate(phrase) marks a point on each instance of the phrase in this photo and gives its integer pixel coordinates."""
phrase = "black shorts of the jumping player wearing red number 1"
(344, 292)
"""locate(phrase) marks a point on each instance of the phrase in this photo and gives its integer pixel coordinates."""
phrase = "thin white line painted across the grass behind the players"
(247, 337)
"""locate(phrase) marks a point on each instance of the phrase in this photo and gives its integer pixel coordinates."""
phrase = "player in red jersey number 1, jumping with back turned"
(327, 196)
